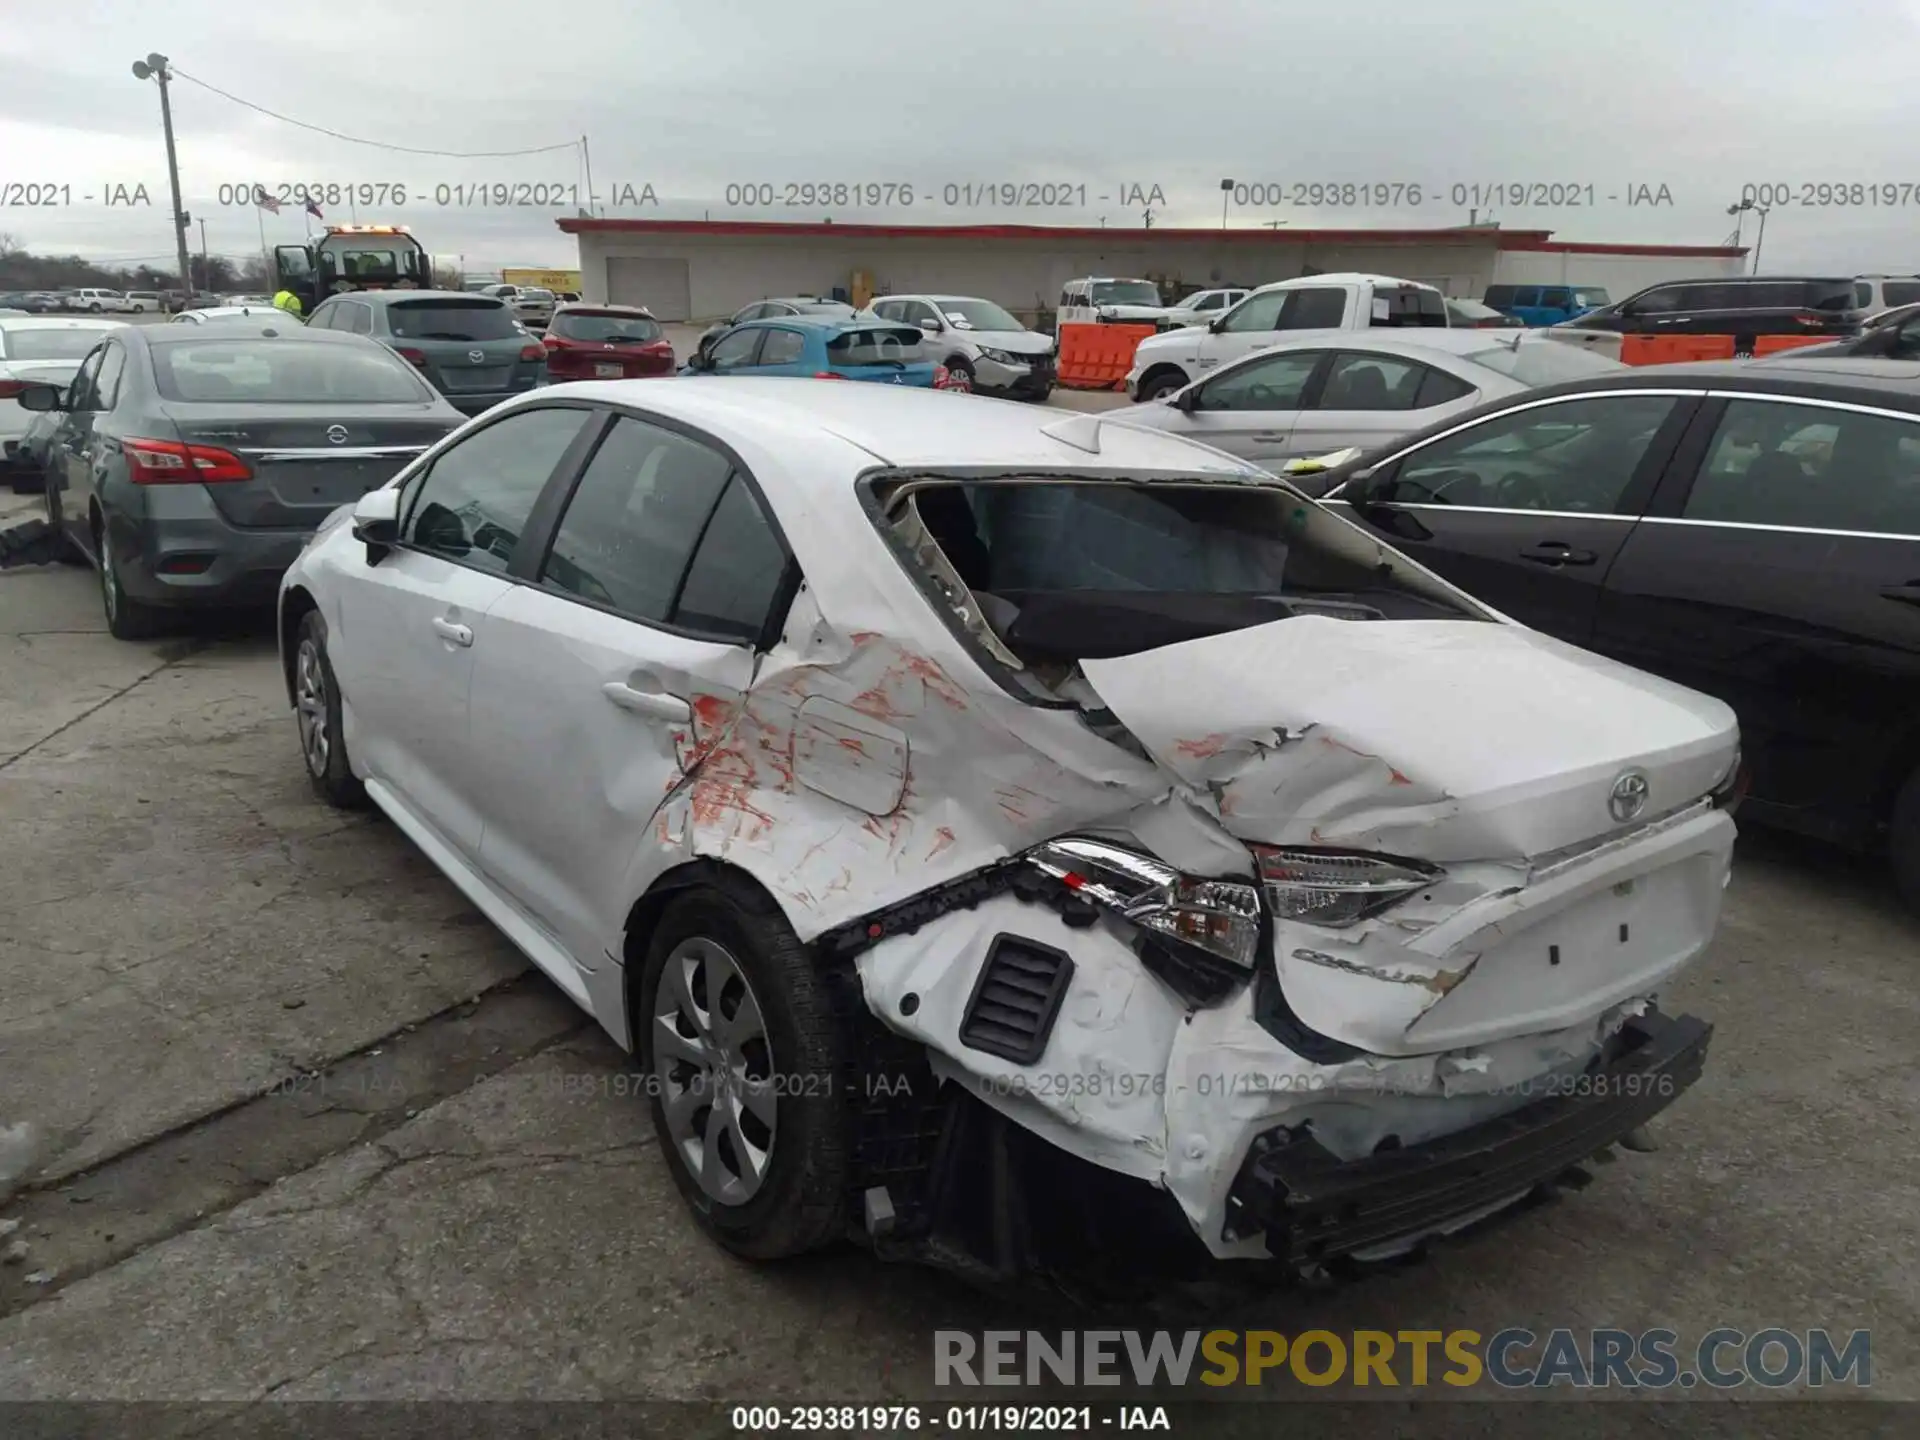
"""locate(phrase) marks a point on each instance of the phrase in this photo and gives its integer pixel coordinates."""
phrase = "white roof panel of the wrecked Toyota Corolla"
(903, 427)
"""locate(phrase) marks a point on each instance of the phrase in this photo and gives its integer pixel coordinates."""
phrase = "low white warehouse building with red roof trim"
(708, 270)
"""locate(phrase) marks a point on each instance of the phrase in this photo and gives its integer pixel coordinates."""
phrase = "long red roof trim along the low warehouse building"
(1535, 241)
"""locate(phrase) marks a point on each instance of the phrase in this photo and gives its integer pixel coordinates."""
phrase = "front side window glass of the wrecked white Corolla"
(475, 502)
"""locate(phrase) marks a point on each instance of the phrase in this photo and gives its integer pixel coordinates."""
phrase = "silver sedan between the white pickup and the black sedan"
(1332, 393)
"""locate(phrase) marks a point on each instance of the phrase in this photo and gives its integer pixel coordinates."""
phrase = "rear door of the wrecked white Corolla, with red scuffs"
(608, 679)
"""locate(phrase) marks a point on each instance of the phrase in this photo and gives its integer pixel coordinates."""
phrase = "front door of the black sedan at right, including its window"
(1529, 508)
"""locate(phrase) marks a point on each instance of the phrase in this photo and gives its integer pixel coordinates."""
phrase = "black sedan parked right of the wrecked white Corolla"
(1750, 531)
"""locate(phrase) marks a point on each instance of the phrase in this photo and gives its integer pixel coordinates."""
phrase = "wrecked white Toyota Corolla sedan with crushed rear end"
(1003, 836)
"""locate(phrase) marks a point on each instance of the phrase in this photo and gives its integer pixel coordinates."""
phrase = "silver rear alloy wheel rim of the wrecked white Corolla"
(715, 1070)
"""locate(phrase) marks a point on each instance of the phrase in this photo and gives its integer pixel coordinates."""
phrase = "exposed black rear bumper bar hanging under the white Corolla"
(1314, 1209)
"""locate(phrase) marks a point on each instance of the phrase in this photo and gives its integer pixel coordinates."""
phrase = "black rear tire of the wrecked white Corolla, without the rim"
(802, 1203)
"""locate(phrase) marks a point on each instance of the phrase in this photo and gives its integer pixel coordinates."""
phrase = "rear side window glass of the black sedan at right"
(1812, 469)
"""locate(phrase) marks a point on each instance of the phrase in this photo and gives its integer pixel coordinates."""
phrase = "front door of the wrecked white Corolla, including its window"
(414, 623)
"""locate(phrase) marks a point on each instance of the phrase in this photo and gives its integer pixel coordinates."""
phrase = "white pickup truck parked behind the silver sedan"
(1314, 304)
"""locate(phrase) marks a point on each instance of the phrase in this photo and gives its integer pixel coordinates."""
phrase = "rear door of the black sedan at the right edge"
(1779, 569)
